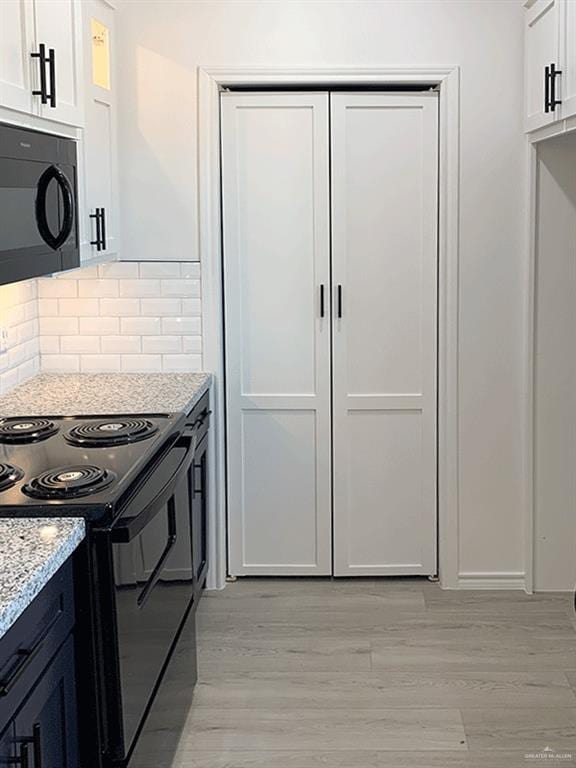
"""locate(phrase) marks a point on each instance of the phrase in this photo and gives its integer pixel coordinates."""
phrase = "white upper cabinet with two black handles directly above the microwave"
(41, 59)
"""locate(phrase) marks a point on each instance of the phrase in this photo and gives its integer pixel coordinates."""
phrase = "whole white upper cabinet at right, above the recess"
(550, 52)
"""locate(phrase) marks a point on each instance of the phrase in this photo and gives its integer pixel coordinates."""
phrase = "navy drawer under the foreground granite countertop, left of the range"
(34, 639)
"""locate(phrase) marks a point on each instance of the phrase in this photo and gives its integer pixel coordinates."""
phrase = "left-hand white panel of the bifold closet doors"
(275, 186)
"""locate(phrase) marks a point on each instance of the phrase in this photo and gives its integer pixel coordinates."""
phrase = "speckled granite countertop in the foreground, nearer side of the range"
(31, 551)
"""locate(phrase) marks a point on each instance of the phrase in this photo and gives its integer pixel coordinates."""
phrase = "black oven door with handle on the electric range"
(147, 559)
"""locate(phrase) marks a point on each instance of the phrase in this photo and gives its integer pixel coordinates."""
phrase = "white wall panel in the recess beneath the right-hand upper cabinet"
(555, 364)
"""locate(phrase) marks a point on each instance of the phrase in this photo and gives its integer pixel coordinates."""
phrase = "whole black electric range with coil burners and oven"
(133, 479)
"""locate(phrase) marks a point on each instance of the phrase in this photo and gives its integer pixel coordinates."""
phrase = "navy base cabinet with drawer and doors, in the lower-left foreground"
(38, 713)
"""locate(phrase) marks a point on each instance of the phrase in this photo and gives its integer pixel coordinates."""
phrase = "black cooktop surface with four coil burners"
(81, 465)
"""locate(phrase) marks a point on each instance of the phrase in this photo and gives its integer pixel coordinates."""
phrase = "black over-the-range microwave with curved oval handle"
(38, 204)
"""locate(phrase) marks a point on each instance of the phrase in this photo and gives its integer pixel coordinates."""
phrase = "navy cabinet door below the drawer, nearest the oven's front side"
(48, 722)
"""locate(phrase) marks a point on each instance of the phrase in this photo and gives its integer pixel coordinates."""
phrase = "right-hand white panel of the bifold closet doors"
(384, 213)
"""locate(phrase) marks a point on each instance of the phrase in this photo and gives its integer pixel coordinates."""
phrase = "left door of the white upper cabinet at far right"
(542, 51)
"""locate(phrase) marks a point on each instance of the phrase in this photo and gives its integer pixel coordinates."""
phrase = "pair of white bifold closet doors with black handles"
(373, 351)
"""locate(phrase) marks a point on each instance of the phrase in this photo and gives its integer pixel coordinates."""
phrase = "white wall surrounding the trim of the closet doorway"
(163, 42)
